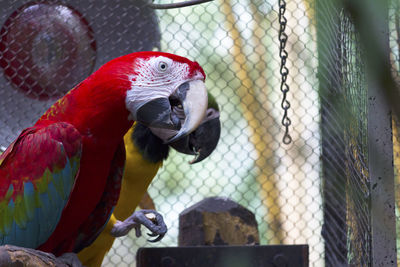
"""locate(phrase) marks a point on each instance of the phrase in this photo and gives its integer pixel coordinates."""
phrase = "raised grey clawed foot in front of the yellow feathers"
(151, 219)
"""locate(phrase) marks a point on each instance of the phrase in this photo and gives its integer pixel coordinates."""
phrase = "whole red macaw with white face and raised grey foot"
(61, 178)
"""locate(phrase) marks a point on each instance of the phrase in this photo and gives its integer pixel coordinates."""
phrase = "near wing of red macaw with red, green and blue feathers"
(37, 173)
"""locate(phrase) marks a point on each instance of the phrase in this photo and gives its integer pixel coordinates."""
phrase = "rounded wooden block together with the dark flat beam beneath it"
(217, 232)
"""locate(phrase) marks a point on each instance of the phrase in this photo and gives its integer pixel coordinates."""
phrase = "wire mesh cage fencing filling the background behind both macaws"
(315, 191)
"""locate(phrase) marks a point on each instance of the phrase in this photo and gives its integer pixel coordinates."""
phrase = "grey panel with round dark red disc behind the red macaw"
(47, 47)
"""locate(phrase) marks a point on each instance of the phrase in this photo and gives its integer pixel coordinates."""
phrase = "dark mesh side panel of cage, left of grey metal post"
(343, 94)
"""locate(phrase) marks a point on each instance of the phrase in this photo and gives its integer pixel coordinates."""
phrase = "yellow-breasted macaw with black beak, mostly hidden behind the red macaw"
(146, 149)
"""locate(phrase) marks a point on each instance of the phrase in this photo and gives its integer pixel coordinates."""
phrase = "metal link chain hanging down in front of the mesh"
(286, 122)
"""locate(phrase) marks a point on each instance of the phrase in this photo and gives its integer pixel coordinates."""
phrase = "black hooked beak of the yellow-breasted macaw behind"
(203, 140)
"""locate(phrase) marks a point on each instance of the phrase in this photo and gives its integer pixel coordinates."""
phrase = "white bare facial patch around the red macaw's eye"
(157, 77)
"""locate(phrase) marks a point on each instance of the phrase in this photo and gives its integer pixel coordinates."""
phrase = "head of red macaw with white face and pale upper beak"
(168, 92)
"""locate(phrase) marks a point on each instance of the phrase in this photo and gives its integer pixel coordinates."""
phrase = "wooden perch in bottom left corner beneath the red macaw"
(14, 256)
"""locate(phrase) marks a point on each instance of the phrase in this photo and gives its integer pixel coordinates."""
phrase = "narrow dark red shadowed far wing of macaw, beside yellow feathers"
(98, 219)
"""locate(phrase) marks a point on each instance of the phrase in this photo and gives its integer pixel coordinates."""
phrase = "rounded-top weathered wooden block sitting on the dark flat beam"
(217, 221)
